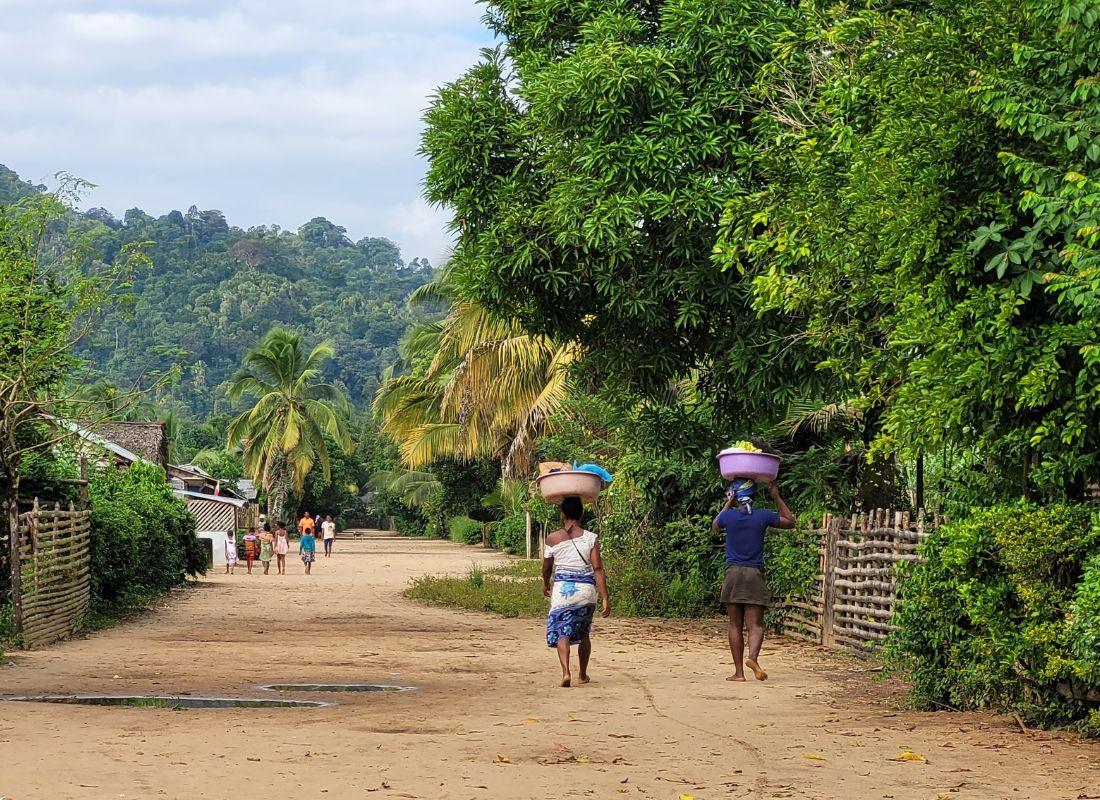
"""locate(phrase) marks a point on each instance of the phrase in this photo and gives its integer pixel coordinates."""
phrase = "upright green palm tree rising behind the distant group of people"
(283, 435)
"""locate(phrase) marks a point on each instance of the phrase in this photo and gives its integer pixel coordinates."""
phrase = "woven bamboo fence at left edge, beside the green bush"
(51, 573)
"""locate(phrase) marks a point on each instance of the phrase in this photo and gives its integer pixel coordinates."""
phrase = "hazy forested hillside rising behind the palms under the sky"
(215, 290)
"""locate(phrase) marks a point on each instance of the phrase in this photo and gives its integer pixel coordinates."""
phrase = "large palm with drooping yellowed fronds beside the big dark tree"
(488, 388)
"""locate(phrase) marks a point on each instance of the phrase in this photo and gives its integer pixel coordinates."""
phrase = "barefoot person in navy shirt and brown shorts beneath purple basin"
(744, 593)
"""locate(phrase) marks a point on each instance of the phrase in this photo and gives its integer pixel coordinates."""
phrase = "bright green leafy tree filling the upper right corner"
(929, 218)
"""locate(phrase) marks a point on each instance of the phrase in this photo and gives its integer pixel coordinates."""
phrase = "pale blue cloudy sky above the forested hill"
(273, 112)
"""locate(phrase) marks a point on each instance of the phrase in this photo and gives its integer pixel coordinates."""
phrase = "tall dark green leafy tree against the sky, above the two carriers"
(587, 162)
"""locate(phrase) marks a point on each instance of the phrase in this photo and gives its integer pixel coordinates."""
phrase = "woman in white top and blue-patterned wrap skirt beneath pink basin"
(573, 560)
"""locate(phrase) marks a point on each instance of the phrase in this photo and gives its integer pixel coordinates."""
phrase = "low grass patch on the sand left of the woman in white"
(482, 591)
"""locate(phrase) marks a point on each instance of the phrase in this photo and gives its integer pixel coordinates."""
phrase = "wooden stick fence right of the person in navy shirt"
(861, 562)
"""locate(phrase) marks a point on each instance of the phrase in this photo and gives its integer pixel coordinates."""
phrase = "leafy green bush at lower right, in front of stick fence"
(1005, 613)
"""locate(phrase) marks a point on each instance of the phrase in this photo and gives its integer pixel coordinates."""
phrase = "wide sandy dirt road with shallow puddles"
(487, 720)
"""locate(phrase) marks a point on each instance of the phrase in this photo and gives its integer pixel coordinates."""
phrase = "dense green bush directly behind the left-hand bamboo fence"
(142, 538)
